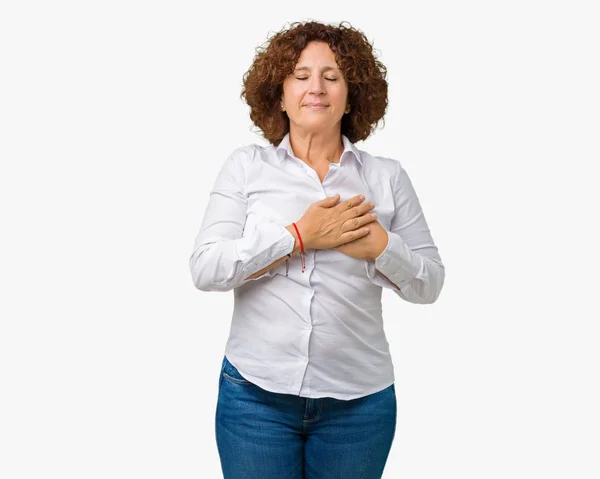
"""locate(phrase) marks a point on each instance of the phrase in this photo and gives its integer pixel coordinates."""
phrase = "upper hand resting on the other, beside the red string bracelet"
(327, 224)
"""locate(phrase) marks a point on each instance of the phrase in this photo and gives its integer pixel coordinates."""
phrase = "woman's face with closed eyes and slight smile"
(316, 80)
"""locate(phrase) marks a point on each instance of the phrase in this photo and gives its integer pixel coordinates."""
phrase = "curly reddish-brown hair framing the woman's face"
(277, 58)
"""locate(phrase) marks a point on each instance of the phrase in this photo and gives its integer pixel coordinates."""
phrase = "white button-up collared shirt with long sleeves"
(319, 332)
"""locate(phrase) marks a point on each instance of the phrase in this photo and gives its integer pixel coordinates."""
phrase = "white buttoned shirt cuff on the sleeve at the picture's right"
(396, 264)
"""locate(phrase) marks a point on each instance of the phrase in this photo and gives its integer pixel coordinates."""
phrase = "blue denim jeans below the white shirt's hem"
(266, 435)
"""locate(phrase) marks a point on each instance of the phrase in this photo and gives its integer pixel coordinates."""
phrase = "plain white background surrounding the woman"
(115, 118)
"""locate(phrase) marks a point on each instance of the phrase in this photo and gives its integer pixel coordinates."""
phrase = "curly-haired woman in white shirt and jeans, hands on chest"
(306, 387)
